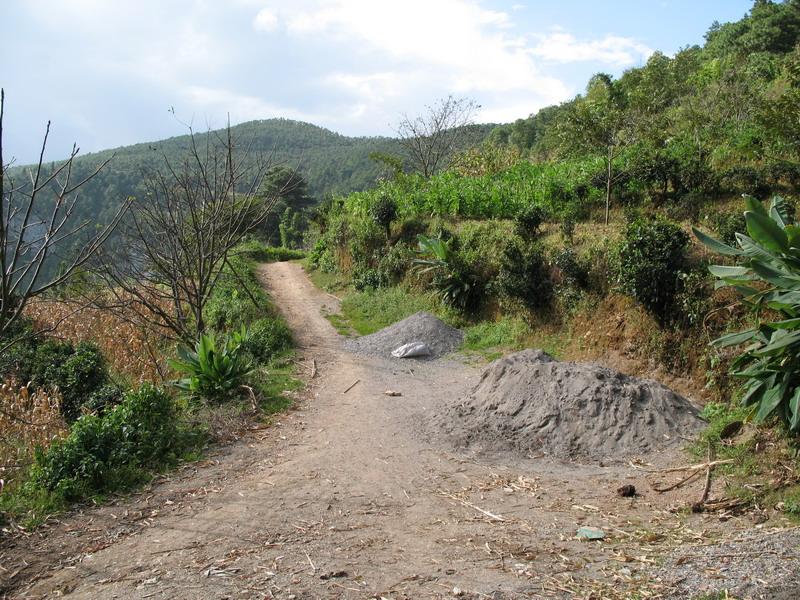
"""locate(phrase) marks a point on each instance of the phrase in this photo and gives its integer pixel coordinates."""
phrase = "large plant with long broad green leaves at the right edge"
(767, 276)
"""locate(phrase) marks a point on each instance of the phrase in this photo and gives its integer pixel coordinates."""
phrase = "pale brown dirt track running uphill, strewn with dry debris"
(343, 498)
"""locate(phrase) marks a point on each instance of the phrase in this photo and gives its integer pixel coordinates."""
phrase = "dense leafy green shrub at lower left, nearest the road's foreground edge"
(112, 452)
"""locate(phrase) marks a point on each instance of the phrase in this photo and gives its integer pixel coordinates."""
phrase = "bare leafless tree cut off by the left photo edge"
(37, 221)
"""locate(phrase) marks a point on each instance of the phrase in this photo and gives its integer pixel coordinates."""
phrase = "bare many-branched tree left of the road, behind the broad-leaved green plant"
(180, 236)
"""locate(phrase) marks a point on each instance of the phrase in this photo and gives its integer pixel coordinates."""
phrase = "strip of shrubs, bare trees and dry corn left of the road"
(155, 341)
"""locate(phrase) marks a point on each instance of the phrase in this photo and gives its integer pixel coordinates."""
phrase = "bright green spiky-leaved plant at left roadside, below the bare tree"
(214, 372)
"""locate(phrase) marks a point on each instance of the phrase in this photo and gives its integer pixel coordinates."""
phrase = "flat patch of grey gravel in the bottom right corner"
(759, 565)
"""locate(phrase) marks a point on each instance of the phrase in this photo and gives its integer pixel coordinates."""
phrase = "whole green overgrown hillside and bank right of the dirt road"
(613, 227)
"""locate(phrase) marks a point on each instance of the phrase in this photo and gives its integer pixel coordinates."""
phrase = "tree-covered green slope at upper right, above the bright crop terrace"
(713, 119)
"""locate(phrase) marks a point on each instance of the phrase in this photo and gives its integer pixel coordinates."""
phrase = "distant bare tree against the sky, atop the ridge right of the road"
(431, 139)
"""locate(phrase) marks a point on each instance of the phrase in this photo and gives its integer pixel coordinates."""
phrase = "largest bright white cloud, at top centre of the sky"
(425, 50)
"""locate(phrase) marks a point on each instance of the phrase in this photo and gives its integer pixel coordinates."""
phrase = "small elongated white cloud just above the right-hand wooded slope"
(562, 47)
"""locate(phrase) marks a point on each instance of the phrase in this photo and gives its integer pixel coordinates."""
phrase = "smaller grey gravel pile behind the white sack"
(419, 327)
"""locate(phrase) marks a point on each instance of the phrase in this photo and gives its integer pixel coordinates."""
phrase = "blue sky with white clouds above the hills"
(107, 72)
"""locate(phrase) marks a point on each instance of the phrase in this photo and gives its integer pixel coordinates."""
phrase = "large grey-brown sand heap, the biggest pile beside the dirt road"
(530, 404)
